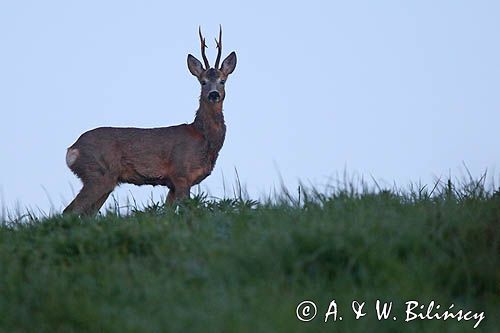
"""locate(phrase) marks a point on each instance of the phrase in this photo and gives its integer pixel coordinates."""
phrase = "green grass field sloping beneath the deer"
(237, 265)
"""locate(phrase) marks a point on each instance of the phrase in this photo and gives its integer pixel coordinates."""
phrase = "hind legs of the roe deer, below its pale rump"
(90, 199)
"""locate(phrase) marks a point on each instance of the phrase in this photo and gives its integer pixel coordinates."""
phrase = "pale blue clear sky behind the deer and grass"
(400, 90)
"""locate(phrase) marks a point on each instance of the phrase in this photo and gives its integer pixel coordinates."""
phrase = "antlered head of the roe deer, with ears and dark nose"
(212, 79)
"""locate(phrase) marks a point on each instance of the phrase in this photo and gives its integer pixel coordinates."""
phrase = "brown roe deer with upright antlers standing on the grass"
(177, 156)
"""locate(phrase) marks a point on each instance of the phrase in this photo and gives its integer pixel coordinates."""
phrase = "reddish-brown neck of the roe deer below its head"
(209, 121)
